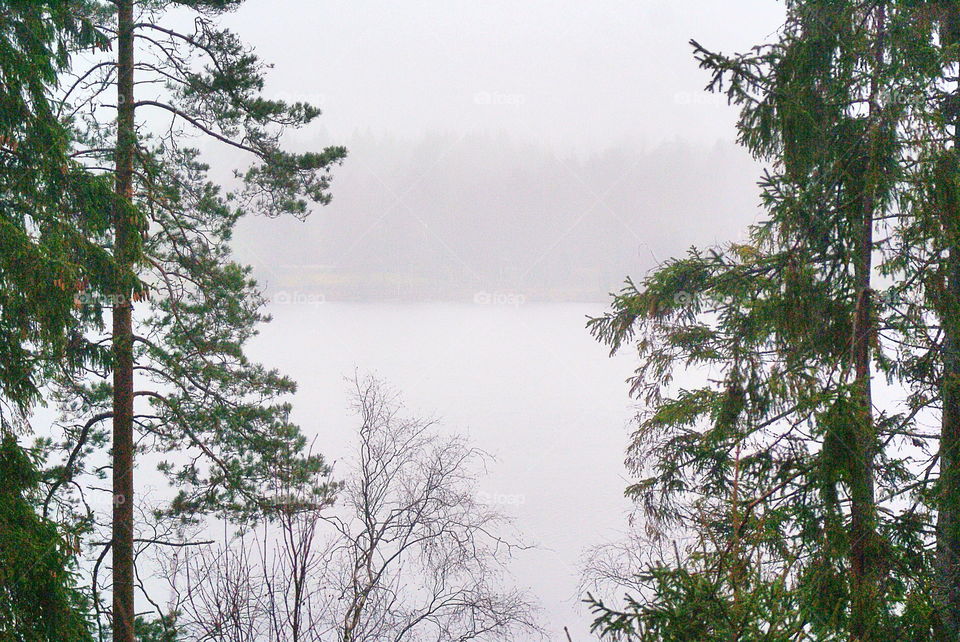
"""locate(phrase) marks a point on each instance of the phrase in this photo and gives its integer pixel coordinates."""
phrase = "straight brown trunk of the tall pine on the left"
(124, 229)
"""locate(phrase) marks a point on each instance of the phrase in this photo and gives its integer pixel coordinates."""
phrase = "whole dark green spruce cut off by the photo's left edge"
(51, 213)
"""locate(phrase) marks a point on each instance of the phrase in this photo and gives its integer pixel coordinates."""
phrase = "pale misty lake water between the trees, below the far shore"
(526, 382)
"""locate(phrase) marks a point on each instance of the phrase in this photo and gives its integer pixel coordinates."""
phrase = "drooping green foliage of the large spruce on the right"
(758, 457)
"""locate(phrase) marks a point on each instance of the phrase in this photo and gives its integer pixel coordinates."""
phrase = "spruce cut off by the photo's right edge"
(928, 257)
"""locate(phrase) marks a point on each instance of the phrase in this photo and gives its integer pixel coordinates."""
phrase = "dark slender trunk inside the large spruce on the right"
(864, 556)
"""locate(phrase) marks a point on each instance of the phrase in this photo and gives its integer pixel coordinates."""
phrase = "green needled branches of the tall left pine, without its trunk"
(218, 423)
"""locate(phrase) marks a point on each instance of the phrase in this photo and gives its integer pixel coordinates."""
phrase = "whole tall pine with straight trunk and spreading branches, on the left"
(182, 310)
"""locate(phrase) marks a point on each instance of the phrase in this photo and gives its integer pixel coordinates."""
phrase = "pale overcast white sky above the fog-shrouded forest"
(571, 73)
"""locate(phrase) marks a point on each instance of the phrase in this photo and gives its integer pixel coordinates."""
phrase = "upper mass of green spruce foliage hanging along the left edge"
(52, 212)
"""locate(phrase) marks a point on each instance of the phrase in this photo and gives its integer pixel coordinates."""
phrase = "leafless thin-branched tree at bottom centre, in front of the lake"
(419, 557)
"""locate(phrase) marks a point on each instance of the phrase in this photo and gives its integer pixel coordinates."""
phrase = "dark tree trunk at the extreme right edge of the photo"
(948, 516)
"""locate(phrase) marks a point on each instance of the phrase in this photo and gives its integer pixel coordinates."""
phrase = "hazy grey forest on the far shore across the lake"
(484, 218)
